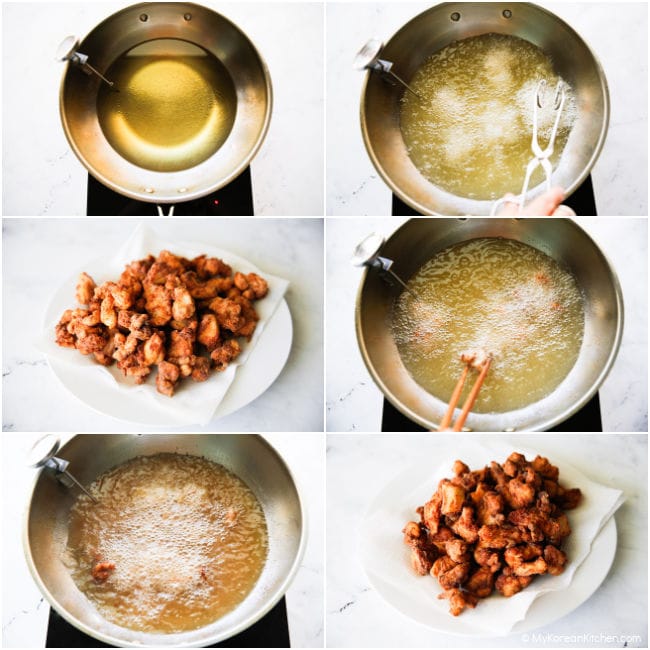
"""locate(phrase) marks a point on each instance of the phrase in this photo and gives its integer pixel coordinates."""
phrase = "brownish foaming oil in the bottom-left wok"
(188, 539)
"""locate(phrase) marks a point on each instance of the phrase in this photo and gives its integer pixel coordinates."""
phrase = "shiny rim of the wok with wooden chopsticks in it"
(544, 425)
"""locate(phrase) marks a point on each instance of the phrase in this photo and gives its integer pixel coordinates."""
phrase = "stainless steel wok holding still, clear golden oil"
(194, 24)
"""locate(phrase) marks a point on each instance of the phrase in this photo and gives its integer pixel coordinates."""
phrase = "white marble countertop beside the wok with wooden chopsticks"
(353, 401)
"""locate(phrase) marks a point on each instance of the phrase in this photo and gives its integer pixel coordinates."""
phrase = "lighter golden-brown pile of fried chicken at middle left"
(183, 316)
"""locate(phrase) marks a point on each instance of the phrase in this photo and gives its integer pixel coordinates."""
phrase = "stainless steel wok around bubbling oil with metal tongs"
(434, 29)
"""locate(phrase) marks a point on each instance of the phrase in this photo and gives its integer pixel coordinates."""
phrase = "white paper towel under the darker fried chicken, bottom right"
(385, 557)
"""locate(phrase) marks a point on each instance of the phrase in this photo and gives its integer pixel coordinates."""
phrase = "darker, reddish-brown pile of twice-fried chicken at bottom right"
(495, 527)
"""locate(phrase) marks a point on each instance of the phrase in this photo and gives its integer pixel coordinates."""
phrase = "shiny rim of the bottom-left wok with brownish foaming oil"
(274, 598)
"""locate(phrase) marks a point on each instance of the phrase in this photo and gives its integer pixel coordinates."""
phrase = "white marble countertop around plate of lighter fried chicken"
(39, 254)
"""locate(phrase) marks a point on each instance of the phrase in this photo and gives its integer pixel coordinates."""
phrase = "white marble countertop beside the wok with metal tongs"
(620, 176)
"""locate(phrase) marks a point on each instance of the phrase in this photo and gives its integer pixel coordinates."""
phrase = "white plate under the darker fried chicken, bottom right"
(546, 608)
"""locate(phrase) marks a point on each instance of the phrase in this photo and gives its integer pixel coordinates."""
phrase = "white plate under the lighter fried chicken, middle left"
(262, 367)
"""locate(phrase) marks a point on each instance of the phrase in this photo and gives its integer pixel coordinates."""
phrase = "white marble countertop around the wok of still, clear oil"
(41, 174)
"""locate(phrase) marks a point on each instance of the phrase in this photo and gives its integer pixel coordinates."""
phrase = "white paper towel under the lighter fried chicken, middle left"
(193, 402)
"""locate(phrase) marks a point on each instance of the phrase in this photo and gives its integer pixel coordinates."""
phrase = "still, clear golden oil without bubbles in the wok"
(174, 107)
